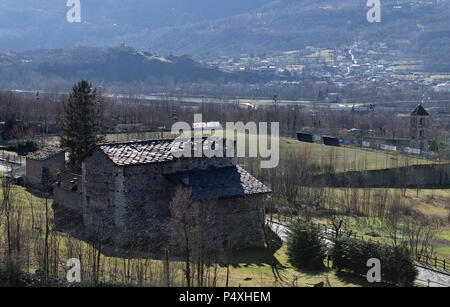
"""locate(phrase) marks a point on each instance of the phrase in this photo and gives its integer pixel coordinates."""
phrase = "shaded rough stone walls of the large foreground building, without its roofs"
(132, 202)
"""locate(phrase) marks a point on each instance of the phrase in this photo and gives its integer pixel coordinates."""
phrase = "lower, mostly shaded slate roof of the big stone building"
(219, 183)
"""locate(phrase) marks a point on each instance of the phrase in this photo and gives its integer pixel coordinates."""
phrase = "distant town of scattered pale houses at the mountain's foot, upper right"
(362, 65)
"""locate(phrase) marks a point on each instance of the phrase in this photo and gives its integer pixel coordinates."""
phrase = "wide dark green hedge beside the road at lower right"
(397, 266)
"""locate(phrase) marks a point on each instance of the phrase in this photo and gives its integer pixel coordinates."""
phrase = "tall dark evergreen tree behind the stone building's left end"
(80, 122)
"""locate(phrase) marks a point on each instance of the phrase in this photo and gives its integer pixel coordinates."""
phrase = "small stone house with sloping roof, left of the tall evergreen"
(51, 158)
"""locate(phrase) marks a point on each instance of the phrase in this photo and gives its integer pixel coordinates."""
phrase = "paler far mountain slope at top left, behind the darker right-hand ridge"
(28, 24)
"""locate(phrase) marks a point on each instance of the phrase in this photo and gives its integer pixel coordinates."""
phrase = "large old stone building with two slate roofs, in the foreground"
(126, 189)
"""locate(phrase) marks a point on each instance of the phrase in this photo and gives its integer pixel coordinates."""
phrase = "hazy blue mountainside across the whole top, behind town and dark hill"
(210, 28)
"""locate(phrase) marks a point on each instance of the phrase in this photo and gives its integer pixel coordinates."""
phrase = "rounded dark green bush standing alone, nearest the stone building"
(305, 246)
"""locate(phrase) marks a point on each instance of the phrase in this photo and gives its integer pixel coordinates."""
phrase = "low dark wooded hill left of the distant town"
(121, 65)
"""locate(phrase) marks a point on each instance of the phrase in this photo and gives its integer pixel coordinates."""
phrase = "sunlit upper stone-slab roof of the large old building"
(144, 152)
